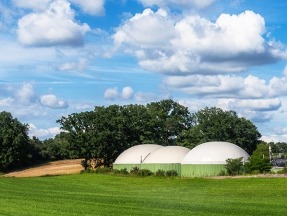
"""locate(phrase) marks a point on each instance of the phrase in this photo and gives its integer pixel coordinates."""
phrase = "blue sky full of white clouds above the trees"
(64, 56)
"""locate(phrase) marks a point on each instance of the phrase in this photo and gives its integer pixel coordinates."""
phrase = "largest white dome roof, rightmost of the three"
(214, 153)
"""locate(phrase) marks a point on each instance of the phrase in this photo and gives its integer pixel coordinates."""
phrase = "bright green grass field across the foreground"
(95, 194)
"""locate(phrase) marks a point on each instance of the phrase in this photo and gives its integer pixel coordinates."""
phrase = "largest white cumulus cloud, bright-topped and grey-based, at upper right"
(196, 45)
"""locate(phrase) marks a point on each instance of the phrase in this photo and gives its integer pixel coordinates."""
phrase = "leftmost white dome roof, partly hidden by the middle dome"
(136, 154)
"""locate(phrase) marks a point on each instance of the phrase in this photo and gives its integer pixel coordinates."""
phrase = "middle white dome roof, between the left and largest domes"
(167, 154)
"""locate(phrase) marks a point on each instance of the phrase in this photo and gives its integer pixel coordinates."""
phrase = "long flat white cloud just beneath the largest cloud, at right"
(250, 87)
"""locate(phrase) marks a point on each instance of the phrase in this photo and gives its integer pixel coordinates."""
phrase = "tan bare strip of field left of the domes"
(53, 168)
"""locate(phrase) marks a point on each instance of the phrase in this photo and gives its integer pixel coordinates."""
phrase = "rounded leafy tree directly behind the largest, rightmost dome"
(214, 124)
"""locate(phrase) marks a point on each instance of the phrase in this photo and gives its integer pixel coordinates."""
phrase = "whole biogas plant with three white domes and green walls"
(207, 159)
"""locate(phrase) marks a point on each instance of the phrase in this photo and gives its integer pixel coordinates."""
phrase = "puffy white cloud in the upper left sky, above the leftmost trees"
(55, 26)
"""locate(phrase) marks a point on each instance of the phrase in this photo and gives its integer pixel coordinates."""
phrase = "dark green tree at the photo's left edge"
(15, 146)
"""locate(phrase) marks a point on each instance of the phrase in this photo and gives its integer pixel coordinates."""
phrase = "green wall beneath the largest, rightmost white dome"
(201, 170)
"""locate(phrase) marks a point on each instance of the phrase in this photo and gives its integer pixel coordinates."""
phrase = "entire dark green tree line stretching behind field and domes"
(105, 132)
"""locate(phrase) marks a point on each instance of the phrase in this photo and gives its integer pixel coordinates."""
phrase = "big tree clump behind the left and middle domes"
(108, 131)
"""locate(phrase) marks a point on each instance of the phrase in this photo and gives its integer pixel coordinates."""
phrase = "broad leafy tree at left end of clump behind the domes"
(97, 134)
